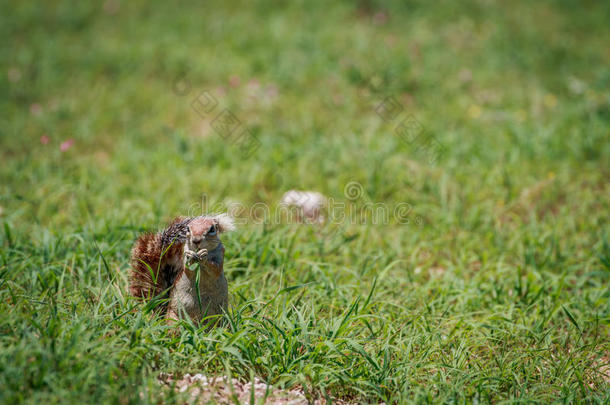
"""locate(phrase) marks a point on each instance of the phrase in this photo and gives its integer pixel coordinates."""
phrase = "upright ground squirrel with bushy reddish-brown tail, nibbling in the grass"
(184, 263)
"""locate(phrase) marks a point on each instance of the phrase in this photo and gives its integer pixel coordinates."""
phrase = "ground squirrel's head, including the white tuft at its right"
(203, 231)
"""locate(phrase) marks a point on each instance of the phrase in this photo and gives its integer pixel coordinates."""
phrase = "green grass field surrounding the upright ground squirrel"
(496, 290)
